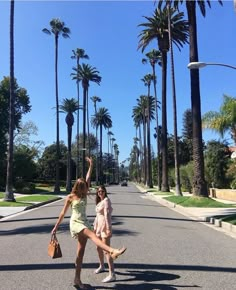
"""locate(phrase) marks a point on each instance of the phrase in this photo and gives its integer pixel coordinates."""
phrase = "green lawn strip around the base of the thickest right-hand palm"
(189, 201)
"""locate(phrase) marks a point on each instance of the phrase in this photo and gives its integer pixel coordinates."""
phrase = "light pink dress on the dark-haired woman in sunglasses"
(102, 222)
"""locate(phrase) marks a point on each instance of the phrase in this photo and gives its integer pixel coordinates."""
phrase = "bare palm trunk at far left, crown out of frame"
(9, 195)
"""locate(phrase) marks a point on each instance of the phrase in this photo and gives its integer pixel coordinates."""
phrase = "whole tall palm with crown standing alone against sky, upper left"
(57, 28)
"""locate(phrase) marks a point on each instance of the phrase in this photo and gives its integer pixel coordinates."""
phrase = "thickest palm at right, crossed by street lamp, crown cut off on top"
(199, 182)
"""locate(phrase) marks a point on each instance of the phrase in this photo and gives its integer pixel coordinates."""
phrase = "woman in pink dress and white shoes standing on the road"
(103, 230)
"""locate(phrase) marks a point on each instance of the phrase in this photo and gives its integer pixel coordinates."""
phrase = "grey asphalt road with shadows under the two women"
(166, 250)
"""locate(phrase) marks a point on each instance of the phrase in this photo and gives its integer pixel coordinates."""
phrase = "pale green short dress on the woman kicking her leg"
(78, 220)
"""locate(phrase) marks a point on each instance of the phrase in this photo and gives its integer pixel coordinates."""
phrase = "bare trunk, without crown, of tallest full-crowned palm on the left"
(57, 182)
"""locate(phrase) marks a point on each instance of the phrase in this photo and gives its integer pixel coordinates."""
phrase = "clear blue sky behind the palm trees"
(108, 31)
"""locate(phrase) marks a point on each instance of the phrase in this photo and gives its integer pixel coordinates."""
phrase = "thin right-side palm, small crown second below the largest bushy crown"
(147, 82)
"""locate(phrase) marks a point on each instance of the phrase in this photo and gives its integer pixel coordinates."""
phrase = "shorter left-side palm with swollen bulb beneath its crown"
(69, 106)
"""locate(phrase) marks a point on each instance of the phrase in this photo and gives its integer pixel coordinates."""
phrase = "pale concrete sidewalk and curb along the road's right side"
(210, 216)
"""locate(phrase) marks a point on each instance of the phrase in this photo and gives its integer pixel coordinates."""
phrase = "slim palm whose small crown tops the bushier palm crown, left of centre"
(78, 54)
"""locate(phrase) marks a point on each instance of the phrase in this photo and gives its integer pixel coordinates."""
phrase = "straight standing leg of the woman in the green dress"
(82, 240)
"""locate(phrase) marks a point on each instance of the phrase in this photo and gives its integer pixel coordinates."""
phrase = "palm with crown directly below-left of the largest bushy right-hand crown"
(154, 57)
